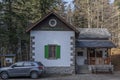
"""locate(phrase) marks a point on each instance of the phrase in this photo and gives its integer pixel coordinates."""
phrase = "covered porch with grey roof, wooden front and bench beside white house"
(95, 54)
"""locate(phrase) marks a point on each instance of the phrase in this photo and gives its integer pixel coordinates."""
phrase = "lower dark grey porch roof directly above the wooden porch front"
(94, 43)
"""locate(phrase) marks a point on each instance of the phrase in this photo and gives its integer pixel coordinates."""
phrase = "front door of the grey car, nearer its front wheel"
(16, 69)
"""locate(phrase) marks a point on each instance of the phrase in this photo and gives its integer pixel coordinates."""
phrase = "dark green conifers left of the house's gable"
(16, 16)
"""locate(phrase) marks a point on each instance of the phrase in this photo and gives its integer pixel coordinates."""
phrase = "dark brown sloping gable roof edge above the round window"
(59, 17)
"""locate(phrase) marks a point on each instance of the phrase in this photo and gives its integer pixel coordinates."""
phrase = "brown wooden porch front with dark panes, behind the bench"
(98, 56)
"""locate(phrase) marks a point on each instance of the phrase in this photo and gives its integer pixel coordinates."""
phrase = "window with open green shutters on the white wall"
(52, 51)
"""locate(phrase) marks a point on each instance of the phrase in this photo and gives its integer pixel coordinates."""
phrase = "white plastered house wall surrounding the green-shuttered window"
(61, 38)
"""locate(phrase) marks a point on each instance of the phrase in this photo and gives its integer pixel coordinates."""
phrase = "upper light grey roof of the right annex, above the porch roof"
(91, 33)
